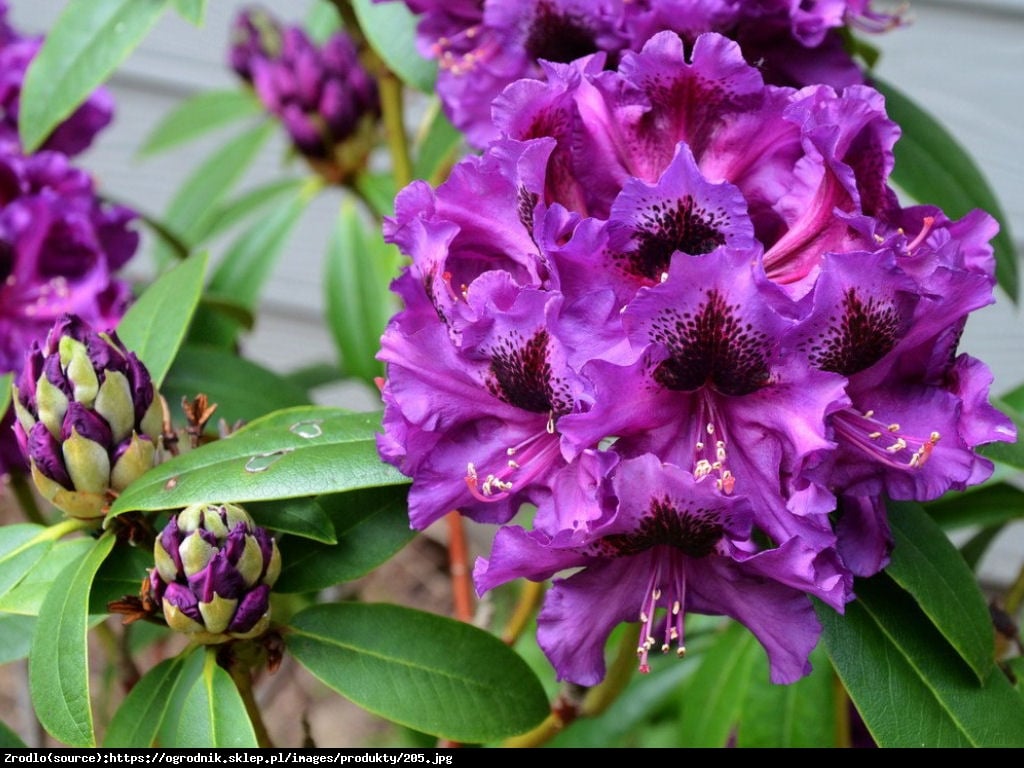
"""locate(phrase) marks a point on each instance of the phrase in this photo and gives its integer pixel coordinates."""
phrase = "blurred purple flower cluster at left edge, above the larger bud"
(61, 246)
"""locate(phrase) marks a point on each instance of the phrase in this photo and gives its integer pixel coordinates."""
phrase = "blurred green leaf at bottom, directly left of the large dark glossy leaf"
(799, 715)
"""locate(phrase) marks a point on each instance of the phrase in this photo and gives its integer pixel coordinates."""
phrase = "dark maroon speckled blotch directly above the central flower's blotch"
(667, 228)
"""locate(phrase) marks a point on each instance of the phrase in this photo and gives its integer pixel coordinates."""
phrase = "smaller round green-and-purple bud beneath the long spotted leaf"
(215, 571)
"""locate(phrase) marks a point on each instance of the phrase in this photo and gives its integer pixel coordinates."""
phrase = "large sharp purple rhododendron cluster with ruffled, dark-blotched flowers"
(680, 315)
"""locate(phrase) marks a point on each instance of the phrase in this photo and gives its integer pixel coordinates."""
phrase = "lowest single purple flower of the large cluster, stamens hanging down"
(670, 545)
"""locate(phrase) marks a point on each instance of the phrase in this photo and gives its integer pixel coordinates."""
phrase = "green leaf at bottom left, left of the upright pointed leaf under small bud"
(138, 720)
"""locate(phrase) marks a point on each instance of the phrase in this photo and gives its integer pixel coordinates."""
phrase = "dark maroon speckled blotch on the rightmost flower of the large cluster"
(861, 337)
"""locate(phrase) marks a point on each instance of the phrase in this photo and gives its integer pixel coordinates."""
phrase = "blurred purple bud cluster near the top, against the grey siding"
(323, 95)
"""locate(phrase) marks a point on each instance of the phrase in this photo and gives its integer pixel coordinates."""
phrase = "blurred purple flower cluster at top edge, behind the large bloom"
(484, 47)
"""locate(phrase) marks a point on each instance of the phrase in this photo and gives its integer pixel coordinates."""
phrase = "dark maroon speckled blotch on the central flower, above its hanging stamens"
(711, 347)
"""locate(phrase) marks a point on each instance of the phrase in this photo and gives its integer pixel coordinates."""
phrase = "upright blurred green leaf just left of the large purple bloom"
(360, 267)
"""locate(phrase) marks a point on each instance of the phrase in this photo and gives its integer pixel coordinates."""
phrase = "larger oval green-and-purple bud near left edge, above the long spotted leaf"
(89, 418)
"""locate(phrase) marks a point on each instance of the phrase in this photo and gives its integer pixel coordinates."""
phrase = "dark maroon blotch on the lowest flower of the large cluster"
(694, 532)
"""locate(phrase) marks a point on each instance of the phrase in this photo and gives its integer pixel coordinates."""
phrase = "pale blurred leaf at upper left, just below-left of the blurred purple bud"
(199, 115)
